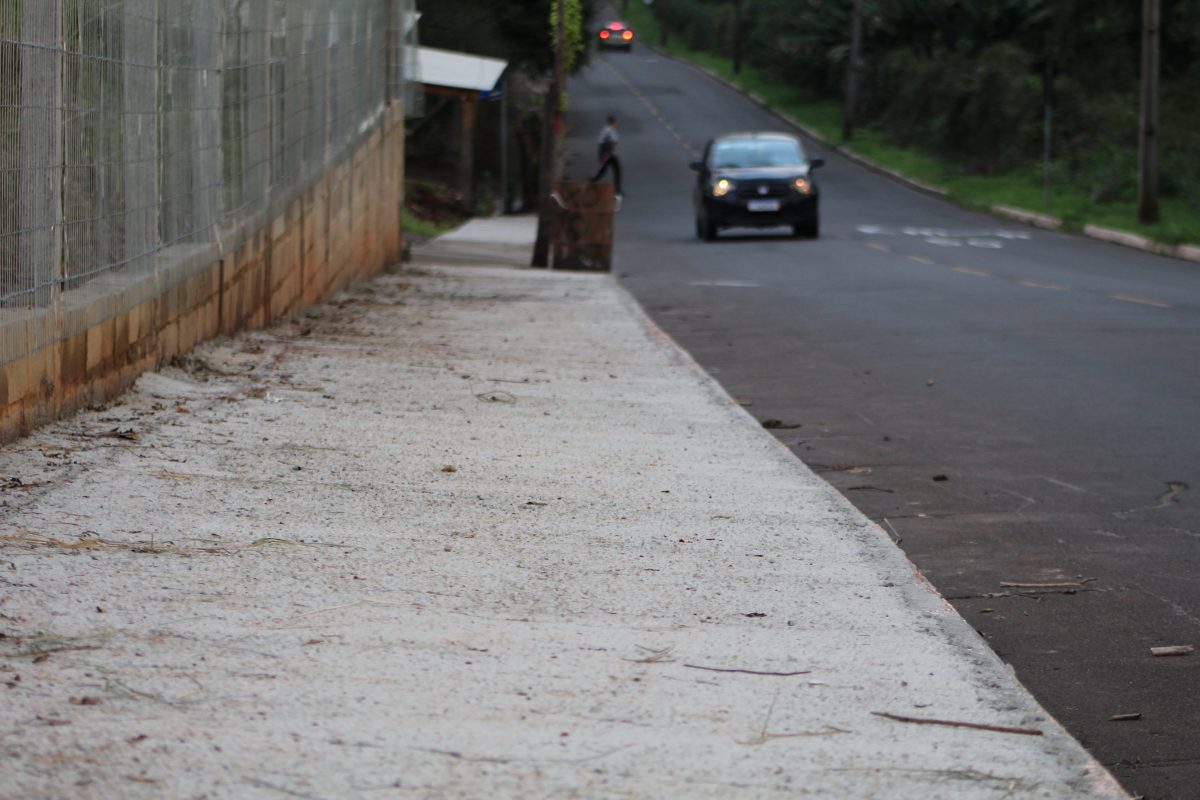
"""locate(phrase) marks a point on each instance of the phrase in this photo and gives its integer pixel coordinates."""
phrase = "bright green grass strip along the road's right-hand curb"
(1179, 221)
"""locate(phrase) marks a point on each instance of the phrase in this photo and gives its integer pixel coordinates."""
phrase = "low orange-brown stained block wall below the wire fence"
(345, 228)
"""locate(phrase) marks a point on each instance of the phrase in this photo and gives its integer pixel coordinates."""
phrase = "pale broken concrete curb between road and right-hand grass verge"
(1112, 236)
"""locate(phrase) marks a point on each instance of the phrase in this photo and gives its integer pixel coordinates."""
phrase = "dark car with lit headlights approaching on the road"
(759, 181)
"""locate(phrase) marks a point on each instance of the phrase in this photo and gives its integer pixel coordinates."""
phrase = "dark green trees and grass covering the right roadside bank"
(953, 94)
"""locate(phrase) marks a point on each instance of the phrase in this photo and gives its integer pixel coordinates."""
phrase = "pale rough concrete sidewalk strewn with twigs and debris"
(476, 532)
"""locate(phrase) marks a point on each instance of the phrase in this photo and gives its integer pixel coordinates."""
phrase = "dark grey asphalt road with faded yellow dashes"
(1016, 407)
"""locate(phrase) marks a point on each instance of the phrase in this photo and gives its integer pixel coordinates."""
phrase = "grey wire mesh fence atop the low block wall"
(131, 130)
